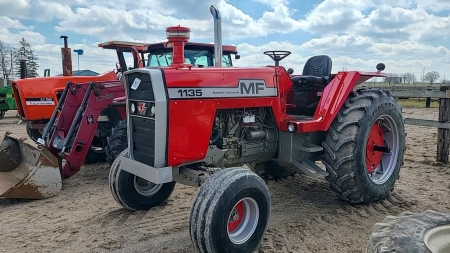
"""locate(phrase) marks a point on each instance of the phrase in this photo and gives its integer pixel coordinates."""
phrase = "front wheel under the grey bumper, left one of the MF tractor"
(135, 193)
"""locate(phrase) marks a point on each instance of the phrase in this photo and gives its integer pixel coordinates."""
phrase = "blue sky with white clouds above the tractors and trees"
(408, 36)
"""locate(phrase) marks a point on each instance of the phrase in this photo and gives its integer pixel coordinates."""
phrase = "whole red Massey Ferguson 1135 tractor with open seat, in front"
(196, 126)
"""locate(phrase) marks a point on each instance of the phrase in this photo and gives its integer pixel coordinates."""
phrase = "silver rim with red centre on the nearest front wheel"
(243, 222)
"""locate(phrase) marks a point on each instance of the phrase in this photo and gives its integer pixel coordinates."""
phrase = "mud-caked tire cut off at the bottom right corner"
(406, 232)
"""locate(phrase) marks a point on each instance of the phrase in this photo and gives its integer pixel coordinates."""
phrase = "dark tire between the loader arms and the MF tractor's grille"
(117, 141)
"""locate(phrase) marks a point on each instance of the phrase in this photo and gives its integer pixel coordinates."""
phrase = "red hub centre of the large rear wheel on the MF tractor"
(376, 138)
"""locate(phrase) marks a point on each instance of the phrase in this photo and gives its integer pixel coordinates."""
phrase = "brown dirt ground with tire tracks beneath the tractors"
(306, 215)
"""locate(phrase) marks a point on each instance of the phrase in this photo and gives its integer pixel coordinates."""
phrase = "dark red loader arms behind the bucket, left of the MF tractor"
(70, 135)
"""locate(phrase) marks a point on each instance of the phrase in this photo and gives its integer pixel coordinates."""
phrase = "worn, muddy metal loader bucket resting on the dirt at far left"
(27, 171)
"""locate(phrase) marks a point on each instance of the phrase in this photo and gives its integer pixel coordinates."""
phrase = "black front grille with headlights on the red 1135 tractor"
(142, 127)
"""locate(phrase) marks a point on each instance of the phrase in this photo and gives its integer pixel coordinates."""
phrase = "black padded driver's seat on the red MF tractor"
(316, 73)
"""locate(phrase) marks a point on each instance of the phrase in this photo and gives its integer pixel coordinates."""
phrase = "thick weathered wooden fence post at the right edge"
(443, 134)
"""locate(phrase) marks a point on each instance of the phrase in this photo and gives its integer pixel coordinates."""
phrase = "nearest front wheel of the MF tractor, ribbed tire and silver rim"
(232, 193)
